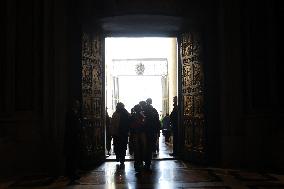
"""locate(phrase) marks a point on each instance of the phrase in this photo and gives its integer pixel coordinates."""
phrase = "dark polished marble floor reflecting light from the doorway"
(167, 173)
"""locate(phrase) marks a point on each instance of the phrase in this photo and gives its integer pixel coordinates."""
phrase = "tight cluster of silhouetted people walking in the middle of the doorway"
(140, 128)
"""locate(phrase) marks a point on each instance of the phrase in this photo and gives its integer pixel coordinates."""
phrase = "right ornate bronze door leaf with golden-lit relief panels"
(192, 127)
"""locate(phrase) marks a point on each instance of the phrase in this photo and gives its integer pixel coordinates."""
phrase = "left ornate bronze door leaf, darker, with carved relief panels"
(93, 137)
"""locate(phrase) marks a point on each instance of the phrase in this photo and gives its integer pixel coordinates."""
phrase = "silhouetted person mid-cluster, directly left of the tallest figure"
(137, 132)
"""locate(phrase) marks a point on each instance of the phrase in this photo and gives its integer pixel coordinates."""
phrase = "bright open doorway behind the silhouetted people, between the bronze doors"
(137, 68)
